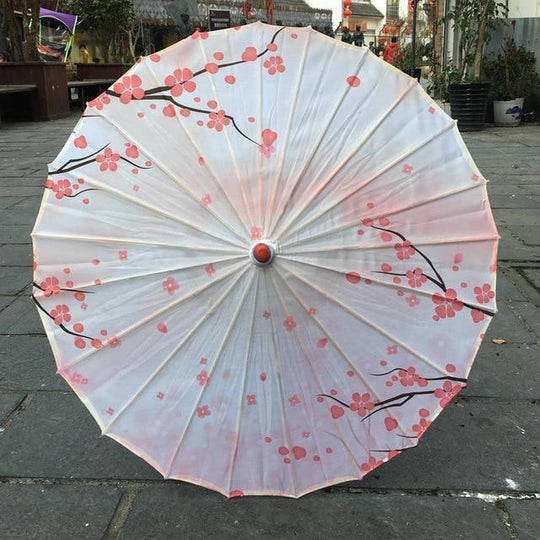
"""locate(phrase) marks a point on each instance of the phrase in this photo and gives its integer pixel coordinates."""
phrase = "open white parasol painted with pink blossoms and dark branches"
(265, 261)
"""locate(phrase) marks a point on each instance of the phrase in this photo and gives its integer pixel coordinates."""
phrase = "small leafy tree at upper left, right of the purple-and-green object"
(102, 18)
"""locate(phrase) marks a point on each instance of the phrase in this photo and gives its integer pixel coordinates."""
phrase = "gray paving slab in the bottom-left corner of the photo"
(53, 512)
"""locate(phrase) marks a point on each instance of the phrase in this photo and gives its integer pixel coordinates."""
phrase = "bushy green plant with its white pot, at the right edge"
(513, 77)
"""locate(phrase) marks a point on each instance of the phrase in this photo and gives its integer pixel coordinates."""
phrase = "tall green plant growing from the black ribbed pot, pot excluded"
(473, 20)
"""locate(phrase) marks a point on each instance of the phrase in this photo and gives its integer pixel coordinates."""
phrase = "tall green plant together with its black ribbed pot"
(472, 21)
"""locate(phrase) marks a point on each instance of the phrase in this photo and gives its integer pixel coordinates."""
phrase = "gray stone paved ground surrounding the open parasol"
(474, 475)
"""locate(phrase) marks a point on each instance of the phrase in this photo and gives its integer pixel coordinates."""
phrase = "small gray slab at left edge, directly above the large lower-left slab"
(27, 363)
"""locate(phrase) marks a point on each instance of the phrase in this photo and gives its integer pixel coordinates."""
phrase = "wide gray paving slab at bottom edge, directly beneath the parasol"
(184, 511)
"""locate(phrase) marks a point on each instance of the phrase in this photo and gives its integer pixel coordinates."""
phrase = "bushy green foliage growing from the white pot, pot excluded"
(512, 73)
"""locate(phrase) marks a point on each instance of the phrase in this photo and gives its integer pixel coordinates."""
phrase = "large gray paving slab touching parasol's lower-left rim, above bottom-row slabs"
(55, 436)
